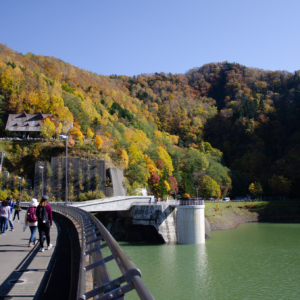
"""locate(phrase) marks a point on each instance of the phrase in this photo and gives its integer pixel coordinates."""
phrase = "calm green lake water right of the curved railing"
(253, 261)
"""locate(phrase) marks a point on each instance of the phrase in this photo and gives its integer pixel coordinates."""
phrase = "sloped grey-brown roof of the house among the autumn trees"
(25, 122)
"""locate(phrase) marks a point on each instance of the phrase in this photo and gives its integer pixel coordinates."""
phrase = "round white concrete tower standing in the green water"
(190, 224)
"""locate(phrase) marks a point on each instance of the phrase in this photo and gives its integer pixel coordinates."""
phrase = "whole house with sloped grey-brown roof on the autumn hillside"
(25, 125)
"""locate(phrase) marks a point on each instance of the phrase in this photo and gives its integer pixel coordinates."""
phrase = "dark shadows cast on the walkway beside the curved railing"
(60, 279)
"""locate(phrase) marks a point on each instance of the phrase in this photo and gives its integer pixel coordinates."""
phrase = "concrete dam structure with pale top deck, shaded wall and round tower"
(141, 218)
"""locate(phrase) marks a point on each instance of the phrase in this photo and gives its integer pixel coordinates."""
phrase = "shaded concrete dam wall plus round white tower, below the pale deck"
(158, 223)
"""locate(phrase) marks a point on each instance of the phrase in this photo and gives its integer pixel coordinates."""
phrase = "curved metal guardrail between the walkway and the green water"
(92, 234)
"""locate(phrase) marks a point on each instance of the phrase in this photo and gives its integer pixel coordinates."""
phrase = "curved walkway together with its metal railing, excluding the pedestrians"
(27, 273)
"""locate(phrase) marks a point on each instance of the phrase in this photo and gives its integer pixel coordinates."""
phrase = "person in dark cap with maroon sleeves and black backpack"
(44, 218)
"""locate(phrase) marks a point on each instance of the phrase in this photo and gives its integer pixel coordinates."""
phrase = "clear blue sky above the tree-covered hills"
(141, 36)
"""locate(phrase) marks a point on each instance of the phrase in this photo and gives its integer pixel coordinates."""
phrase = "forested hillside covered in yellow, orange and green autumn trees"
(220, 127)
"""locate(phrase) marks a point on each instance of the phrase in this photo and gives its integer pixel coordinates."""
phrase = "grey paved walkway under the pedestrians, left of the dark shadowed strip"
(23, 270)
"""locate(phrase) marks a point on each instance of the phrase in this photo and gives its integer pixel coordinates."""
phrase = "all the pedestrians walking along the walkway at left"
(38, 216)
